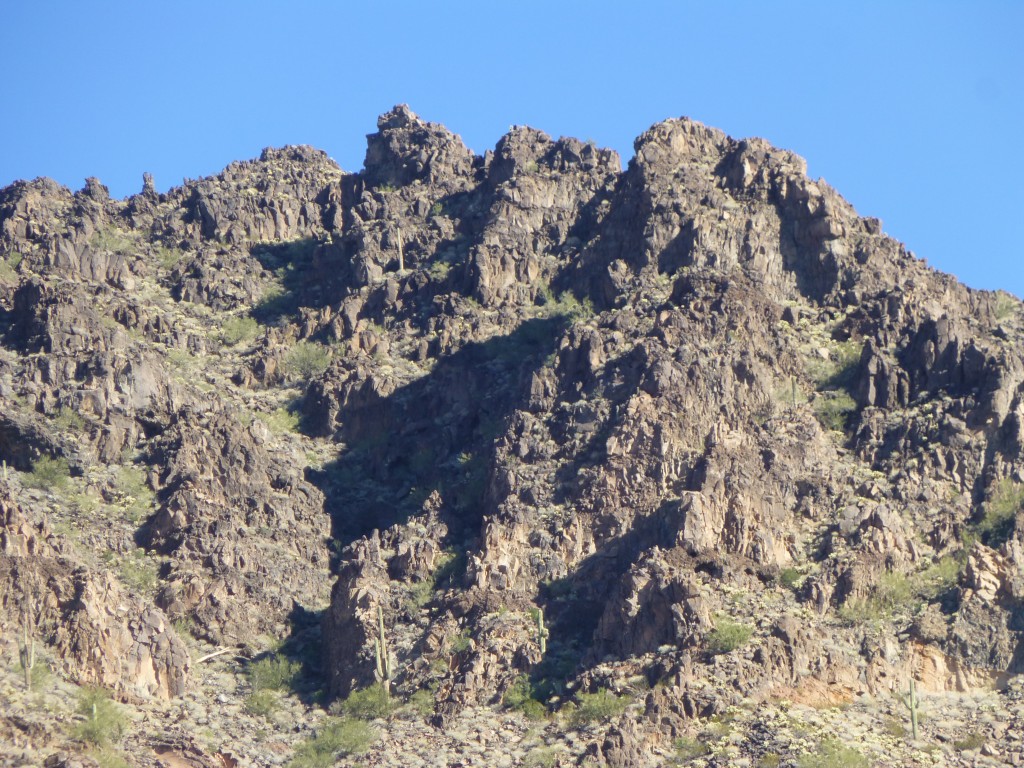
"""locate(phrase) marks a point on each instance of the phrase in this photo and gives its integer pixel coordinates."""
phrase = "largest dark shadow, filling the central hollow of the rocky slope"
(438, 434)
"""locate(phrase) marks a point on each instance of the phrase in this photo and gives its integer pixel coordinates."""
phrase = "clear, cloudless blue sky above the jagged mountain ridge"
(912, 110)
